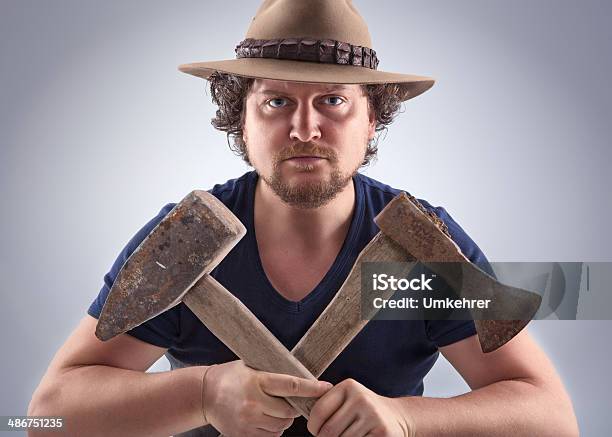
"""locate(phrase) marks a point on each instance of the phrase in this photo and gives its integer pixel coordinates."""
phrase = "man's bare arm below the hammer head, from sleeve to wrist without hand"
(100, 389)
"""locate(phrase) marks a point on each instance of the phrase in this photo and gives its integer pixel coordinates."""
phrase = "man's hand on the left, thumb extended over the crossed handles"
(240, 401)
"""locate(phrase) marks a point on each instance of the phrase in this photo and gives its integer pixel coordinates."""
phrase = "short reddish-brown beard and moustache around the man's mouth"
(311, 194)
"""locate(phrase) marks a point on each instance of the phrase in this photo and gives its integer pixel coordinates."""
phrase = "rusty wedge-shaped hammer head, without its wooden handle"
(188, 243)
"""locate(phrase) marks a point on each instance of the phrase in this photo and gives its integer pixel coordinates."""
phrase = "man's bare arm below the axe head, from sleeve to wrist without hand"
(516, 391)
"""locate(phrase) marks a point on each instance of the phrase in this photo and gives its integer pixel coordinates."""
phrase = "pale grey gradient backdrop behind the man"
(98, 130)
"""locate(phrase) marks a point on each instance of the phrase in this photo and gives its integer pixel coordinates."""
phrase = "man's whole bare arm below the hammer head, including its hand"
(100, 389)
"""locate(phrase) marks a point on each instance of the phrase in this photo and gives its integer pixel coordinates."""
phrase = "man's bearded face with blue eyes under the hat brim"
(306, 140)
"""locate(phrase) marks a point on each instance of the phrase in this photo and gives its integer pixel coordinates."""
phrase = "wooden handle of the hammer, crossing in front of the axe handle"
(234, 324)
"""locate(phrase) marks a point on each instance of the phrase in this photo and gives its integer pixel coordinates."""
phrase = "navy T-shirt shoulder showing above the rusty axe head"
(378, 194)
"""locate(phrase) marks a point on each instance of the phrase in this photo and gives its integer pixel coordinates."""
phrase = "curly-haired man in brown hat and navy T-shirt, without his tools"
(304, 113)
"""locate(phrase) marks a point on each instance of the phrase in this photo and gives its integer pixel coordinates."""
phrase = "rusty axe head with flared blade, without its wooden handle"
(406, 222)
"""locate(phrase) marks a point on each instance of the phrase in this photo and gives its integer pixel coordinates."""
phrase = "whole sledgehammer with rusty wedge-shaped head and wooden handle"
(172, 265)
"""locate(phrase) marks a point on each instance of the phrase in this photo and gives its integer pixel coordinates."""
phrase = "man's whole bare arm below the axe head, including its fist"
(516, 392)
